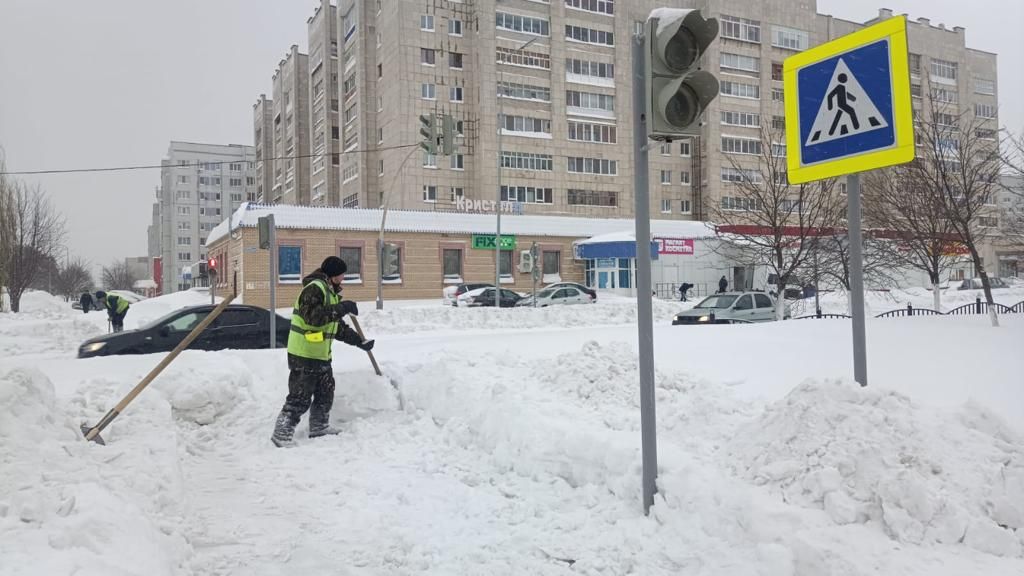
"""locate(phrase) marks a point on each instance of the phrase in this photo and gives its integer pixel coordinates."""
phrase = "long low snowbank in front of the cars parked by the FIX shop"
(405, 320)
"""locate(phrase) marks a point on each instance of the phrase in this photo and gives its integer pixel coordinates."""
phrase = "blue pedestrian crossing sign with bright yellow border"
(848, 105)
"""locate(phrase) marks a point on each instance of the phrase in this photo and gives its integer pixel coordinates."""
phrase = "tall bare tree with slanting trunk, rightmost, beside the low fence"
(959, 166)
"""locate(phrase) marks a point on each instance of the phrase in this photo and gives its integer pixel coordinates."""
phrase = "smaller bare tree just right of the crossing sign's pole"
(907, 211)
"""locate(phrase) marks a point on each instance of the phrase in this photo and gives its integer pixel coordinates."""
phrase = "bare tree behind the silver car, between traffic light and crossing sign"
(766, 222)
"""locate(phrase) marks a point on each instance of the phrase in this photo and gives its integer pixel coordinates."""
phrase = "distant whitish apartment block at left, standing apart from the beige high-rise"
(201, 185)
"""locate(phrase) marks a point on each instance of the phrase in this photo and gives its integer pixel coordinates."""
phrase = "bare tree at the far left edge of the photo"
(37, 231)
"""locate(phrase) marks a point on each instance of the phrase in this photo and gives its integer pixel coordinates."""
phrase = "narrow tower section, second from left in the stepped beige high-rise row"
(291, 130)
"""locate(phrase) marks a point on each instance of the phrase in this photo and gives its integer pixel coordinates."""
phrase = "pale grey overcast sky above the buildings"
(112, 83)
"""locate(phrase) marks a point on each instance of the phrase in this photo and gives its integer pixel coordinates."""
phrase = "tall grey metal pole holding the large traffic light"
(646, 321)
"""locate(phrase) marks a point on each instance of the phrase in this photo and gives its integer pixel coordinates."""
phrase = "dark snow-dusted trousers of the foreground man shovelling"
(309, 389)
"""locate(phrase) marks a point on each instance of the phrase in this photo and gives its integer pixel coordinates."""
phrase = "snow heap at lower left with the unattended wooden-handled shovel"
(68, 504)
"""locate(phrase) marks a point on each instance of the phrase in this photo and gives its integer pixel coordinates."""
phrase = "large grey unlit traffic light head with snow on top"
(677, 91)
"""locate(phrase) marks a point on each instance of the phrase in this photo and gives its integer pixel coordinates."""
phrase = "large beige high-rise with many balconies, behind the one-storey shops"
(545, 87)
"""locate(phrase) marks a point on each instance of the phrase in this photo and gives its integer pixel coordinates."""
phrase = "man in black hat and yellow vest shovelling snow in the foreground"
(317, 321)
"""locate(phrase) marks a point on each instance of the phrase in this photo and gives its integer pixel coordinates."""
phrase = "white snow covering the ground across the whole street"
(518, 451)
